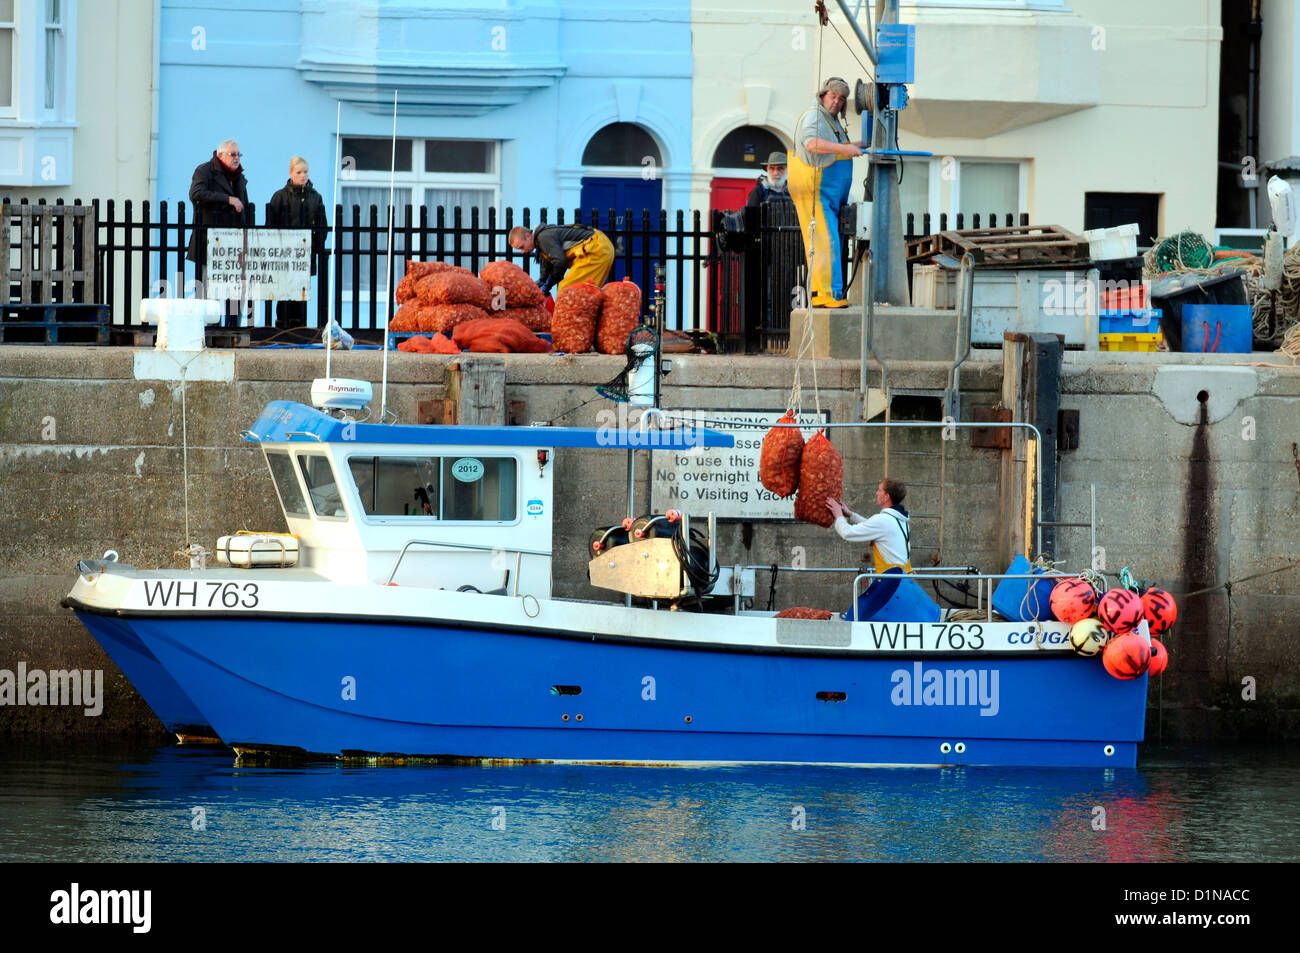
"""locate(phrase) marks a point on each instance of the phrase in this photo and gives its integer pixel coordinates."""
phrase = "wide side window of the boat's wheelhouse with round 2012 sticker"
(463, 490)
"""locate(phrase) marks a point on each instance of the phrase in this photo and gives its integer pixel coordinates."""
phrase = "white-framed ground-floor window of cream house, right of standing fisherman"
(950, 185)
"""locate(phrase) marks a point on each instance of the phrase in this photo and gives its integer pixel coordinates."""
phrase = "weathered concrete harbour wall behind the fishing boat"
(1191, 495)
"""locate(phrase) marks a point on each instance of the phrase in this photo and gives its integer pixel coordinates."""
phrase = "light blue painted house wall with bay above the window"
(540, 76)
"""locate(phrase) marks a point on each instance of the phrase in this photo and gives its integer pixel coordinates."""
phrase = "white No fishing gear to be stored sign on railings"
(259, 265)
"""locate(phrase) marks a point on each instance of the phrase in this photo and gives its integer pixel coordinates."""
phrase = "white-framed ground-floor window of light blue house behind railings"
(449, 174)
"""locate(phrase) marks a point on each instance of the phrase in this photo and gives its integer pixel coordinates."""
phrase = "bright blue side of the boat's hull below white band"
(372, 688)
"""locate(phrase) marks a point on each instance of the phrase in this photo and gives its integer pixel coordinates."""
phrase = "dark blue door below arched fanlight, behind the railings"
(632, 246)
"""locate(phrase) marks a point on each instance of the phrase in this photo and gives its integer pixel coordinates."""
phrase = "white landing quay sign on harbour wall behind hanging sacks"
(725, 480)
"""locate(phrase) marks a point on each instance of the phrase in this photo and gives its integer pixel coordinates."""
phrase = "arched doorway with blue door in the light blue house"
(617, 161)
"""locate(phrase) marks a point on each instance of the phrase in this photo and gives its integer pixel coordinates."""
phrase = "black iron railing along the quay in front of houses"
(734, 274)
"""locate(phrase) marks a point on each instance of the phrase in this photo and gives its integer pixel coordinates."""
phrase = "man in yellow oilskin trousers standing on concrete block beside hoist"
(820, 179)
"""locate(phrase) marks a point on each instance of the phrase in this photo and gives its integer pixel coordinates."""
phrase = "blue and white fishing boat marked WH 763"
(413, 617)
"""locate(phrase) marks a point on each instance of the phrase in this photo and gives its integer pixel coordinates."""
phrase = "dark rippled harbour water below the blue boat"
(174, 804)
